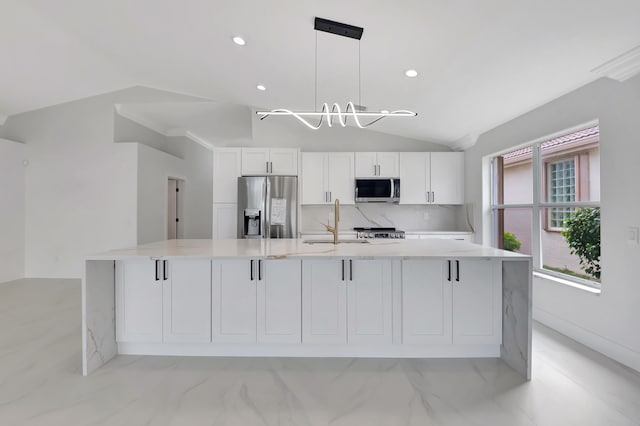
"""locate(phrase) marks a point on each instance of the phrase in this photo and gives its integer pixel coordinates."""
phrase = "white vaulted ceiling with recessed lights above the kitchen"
(480, 63)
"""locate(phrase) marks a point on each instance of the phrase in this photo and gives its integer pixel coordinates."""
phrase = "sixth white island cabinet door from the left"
(369, 297)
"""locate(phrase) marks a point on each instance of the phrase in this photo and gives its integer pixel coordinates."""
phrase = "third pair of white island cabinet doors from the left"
(347, 301)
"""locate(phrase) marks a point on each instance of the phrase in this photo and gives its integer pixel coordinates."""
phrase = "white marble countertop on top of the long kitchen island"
(283, 248)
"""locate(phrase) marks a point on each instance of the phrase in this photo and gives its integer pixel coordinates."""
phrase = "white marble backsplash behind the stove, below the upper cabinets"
(404, 217)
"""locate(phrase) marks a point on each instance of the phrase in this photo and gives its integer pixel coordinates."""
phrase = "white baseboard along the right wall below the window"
(588, 338)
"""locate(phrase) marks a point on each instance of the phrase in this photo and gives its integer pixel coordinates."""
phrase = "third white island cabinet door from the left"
(233, 301)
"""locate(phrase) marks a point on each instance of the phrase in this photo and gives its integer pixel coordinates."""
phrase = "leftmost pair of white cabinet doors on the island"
(163, 300)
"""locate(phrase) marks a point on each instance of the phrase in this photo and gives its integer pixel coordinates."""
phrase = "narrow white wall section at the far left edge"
(12, 210)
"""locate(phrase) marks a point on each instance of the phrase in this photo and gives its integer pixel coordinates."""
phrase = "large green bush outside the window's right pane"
(582, 232)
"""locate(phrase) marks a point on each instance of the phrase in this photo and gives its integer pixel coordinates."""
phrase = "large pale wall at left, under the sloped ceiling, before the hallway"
(81, 194)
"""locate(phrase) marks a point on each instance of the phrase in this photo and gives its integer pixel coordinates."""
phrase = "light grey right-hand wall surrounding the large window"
(607, 322)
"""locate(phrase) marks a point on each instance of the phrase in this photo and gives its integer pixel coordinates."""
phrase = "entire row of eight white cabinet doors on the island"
(310, 301)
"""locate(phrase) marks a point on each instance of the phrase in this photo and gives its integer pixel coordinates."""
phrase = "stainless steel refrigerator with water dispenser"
(267, 207)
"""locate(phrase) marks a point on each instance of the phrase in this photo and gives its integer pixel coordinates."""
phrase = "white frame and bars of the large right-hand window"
(540, 200)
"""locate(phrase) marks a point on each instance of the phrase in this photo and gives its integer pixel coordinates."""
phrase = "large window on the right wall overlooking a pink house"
(536, 189)
